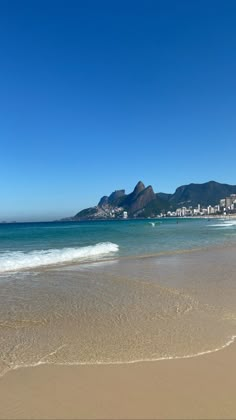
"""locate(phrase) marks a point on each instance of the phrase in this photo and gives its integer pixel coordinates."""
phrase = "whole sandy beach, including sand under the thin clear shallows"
(124, 310)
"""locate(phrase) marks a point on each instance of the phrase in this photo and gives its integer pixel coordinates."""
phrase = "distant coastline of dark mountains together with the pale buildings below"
(208, 199)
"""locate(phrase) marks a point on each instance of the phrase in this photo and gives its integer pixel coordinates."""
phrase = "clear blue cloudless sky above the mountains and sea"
(97, 95)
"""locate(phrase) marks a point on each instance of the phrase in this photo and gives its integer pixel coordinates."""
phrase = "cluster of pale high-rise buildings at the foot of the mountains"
(226, 206)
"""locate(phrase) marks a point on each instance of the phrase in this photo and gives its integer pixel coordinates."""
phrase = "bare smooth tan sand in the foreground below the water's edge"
(196, 388)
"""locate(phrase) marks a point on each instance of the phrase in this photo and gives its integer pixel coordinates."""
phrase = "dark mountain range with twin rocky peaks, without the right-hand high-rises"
(144, 202)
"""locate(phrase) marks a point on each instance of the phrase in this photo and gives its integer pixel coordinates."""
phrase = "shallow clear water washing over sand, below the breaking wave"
(120, 311)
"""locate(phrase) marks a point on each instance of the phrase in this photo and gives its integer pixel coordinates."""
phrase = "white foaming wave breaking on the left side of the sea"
(19, 260)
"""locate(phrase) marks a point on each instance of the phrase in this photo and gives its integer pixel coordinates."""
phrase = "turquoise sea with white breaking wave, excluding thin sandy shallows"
(29, 245)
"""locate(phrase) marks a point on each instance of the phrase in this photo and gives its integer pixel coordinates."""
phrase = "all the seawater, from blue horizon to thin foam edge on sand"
(115, 291)
